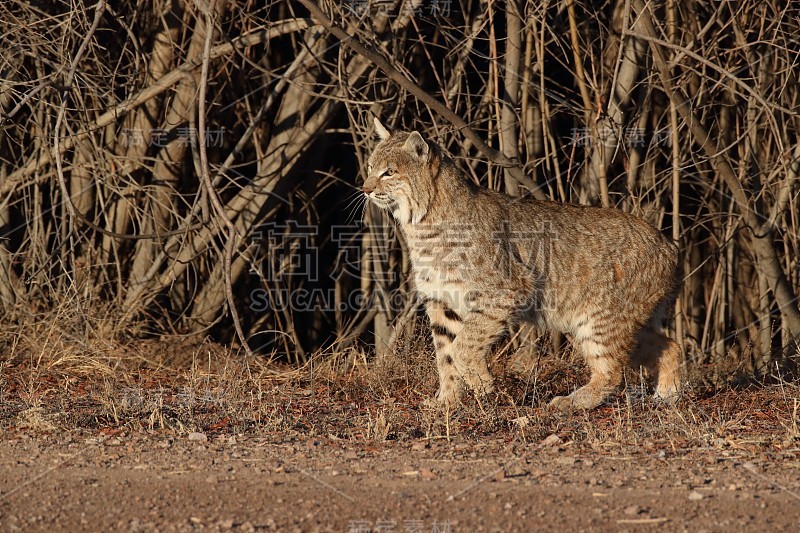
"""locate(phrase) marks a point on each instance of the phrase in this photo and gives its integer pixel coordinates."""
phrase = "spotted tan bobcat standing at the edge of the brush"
(483, 260)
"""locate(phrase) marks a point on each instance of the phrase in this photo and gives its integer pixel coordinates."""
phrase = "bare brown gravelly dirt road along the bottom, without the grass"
(149, 482)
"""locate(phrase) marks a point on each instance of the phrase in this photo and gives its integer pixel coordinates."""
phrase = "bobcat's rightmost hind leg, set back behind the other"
(661, 357)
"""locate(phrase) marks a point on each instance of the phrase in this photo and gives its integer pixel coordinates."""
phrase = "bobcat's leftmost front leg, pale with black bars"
(445, 326)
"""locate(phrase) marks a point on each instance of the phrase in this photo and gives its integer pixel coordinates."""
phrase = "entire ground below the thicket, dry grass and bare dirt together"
(218, 443)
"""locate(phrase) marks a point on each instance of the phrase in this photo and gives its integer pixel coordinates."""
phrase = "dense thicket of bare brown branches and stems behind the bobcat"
(162, 159)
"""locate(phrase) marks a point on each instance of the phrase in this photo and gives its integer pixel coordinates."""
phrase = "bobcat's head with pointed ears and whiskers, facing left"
(399, 175)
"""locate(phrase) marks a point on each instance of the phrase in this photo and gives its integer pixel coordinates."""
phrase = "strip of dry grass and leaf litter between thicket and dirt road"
(176, 385)
